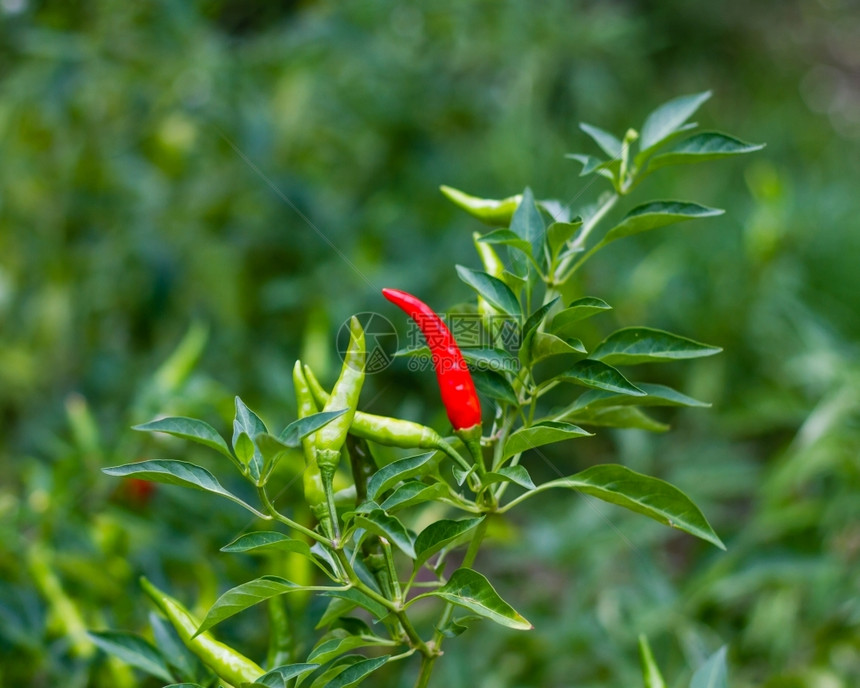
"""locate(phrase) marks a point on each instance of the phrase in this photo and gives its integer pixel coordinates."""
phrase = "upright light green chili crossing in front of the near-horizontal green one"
(328, 440)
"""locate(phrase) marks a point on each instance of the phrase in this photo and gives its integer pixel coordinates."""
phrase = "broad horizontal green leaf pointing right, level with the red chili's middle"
(634, 345)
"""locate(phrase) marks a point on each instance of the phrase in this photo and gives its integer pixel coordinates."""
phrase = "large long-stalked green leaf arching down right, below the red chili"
(643, 494)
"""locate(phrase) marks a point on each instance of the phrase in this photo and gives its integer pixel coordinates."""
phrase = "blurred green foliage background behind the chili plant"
(180, 184)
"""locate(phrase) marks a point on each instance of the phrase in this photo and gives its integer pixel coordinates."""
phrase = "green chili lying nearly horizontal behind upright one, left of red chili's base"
(390, 432)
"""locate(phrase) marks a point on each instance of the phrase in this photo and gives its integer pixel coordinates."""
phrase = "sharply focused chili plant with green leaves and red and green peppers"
(382, 579)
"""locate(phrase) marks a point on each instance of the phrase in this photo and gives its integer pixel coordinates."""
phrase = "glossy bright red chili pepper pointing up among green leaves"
(455, 381)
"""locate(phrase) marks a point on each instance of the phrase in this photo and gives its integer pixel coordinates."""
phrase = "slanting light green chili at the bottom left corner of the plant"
(227, 664)
